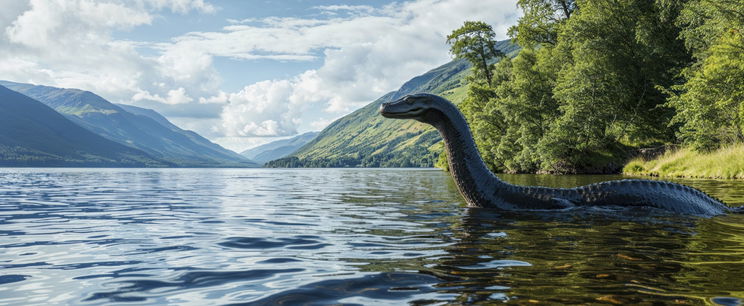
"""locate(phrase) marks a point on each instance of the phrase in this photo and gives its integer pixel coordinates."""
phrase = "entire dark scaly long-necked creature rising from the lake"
(481, 188)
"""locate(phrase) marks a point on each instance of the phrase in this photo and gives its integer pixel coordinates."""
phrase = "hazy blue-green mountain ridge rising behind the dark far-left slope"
(135, 127)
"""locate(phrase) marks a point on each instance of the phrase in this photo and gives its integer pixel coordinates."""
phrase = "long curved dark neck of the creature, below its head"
(476, 183)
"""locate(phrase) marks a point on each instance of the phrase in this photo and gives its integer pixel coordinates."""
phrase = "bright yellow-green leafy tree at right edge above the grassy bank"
(710, 102)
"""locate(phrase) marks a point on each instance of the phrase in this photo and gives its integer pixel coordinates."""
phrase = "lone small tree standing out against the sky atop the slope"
(476, 42)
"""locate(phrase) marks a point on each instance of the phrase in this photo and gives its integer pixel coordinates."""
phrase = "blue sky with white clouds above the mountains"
(239, 72)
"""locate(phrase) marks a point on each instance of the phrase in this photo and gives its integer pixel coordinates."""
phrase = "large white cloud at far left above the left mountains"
(68, 43)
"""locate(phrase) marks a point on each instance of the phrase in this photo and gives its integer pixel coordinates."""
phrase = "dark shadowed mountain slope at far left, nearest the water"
(33, 134)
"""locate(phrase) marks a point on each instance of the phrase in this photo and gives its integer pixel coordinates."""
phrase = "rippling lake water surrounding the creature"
(353, 236)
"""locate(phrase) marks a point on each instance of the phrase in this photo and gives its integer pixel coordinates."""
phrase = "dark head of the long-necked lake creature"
(422, 107)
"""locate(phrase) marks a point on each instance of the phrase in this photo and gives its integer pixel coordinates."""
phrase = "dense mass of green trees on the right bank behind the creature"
(598, 79)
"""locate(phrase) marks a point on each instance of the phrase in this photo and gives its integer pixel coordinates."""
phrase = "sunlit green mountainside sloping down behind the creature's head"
(366, 139)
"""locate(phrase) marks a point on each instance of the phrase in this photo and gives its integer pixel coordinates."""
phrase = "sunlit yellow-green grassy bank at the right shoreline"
(725, 163)
